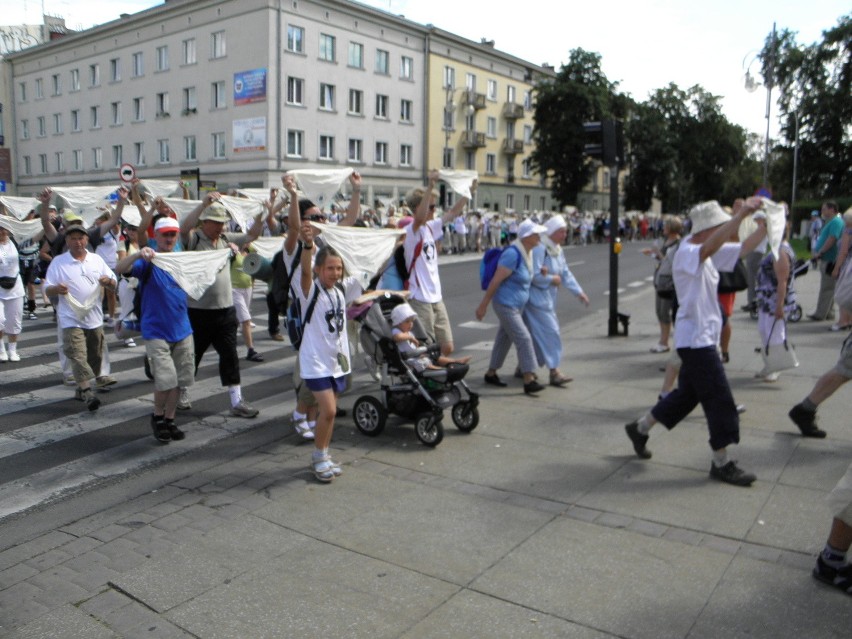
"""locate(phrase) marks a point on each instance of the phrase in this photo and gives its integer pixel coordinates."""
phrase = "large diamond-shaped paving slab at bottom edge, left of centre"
(315, 590)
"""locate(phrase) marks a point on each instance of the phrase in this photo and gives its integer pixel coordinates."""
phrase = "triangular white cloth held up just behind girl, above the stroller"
(364, 250)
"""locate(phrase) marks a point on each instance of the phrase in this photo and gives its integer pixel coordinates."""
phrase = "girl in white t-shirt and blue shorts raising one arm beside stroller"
(324, 351)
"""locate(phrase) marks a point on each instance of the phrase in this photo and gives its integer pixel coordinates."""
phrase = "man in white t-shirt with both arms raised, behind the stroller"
(421, 259)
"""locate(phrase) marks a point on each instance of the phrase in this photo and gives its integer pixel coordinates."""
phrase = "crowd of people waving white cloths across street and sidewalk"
(182, 278)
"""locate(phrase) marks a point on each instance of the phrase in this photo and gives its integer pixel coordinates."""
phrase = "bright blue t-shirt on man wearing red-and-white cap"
(164, 314)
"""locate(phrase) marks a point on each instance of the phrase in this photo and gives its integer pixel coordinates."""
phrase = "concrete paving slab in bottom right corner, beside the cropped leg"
(760, 600)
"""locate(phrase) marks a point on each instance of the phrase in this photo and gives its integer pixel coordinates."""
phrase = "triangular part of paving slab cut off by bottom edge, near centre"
(473, 615)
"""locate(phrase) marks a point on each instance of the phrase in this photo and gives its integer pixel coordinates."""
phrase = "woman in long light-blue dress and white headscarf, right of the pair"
(550, 270)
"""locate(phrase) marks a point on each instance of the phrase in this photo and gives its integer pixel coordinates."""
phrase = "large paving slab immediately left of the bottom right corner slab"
(602, 578)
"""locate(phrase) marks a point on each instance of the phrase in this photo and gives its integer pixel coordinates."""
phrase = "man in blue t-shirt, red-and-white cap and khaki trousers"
(165, 326)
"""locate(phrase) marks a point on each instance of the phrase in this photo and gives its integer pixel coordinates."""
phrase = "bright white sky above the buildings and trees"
(643, 45)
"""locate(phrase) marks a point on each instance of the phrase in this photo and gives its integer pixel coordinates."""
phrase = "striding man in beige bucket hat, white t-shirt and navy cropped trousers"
(699, 322)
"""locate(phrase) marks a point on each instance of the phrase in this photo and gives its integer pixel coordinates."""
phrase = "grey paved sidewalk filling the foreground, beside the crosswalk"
(540, 523)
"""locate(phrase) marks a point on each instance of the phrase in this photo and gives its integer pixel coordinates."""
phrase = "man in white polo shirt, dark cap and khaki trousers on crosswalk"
(76, 278)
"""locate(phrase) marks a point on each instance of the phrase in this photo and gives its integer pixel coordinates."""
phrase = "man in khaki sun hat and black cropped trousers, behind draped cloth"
(213, 316)
